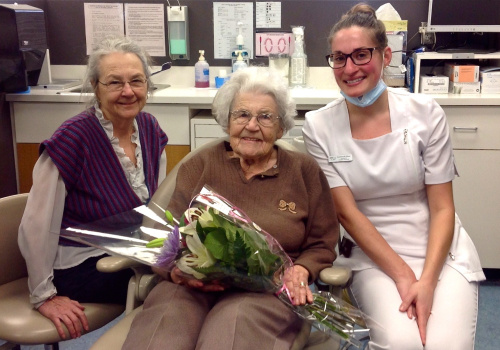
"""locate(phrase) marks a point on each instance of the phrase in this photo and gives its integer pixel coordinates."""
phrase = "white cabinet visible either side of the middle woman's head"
(204, 128)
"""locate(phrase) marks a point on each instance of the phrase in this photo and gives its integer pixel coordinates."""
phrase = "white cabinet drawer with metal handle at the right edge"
(474, 127)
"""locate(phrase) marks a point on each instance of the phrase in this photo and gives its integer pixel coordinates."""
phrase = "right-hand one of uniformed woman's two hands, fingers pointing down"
(421, 296)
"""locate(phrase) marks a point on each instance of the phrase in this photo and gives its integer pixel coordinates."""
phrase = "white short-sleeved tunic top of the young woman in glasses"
(387, 174)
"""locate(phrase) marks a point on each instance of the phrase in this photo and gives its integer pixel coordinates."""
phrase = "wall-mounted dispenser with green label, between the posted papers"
(178, 32)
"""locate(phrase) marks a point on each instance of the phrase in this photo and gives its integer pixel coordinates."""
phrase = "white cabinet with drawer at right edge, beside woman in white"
(474, 133)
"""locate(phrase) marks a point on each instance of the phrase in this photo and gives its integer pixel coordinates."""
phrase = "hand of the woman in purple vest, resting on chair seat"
(60, 309)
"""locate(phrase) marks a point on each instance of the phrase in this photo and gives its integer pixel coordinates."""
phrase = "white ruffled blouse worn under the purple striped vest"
(41, 223)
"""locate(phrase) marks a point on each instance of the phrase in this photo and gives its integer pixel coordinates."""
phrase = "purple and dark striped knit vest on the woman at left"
(95, 181)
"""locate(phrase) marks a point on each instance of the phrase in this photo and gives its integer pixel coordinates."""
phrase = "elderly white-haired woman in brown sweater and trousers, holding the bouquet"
(255, 109)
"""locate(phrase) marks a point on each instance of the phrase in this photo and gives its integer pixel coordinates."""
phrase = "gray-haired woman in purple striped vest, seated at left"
(106, 160)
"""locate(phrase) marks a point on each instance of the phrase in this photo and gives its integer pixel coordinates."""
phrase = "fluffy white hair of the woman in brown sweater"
(259, 80)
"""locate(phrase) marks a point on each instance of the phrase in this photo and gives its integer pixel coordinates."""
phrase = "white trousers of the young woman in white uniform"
(452, 324)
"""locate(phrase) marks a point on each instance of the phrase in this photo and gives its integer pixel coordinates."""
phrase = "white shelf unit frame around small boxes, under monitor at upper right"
(423, 64)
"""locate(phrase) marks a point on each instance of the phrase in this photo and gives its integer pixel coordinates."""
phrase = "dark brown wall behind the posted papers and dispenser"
(66, 26)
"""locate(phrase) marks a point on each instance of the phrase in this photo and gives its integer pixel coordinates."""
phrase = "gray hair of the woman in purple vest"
(108, 46)
